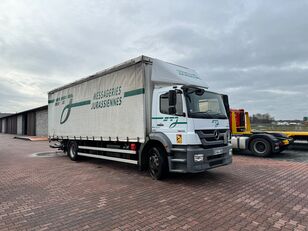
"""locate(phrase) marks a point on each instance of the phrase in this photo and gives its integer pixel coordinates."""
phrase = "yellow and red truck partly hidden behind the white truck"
(259, 143)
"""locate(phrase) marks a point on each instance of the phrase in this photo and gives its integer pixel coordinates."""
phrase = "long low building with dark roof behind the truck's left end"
(32, 122)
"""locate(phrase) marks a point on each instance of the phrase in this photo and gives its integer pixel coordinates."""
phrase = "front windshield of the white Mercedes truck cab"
(203, 104)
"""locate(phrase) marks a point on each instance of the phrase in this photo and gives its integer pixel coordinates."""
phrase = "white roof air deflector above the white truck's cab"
(164, 72)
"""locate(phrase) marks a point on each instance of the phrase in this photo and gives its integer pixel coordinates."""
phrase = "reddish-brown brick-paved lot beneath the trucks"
(54, 193)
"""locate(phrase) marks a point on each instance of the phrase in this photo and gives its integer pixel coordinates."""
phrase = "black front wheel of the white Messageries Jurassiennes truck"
(158, 163)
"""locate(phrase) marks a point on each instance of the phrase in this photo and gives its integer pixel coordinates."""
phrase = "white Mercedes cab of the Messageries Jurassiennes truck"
(195, 121)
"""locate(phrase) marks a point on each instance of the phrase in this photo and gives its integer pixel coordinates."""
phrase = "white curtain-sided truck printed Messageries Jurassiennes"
(154, 114)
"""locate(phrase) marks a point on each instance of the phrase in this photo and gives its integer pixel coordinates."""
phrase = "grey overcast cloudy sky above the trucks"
(255, 51)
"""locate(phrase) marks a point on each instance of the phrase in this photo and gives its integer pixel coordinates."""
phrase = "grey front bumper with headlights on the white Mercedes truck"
(182, 158)
